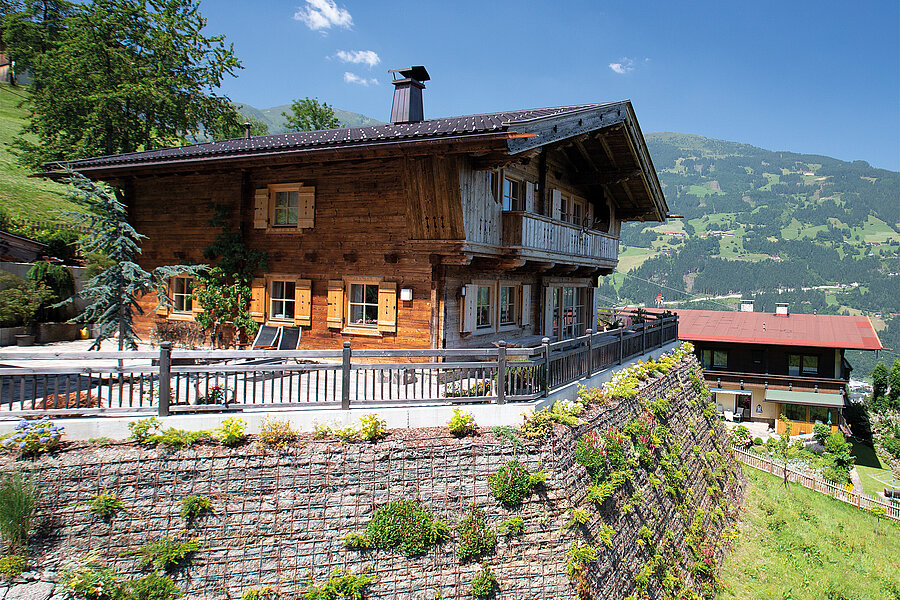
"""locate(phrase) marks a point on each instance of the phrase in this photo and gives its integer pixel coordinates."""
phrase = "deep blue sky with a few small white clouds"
(818, 77)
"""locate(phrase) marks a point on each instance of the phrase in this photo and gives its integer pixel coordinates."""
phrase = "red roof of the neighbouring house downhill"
(823, 331)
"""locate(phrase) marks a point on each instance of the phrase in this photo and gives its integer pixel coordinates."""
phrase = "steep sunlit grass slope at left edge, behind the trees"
(21, 196)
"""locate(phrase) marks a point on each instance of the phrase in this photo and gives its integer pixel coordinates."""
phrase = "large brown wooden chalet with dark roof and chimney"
(438, 233)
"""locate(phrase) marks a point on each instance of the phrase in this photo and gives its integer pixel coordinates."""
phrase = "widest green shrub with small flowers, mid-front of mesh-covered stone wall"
(406, 526)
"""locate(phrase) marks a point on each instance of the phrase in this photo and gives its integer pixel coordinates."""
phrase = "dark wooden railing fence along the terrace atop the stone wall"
(168, 380)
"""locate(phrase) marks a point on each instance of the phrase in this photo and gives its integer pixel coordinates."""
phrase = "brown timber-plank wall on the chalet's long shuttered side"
(360, 230)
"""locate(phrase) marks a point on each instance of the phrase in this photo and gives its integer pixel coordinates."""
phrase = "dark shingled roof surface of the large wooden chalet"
(333, 138)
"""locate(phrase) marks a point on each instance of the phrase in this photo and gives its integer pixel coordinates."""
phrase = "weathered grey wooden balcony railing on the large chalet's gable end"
(537, 236)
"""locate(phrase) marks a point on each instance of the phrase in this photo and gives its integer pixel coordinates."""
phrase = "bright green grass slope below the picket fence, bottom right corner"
(800, 545)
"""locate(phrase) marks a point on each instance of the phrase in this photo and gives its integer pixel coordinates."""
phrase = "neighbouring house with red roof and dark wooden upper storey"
(764, 365)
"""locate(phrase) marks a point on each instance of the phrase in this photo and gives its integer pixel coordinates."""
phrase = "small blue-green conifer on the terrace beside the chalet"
(113, 293)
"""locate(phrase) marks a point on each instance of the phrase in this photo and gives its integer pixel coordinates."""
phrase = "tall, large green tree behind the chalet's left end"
(115, 76)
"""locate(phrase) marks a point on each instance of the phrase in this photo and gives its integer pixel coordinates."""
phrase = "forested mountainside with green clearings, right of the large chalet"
(766, 224)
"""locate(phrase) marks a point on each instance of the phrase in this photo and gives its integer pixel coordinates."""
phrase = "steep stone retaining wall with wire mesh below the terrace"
(280, 515)
